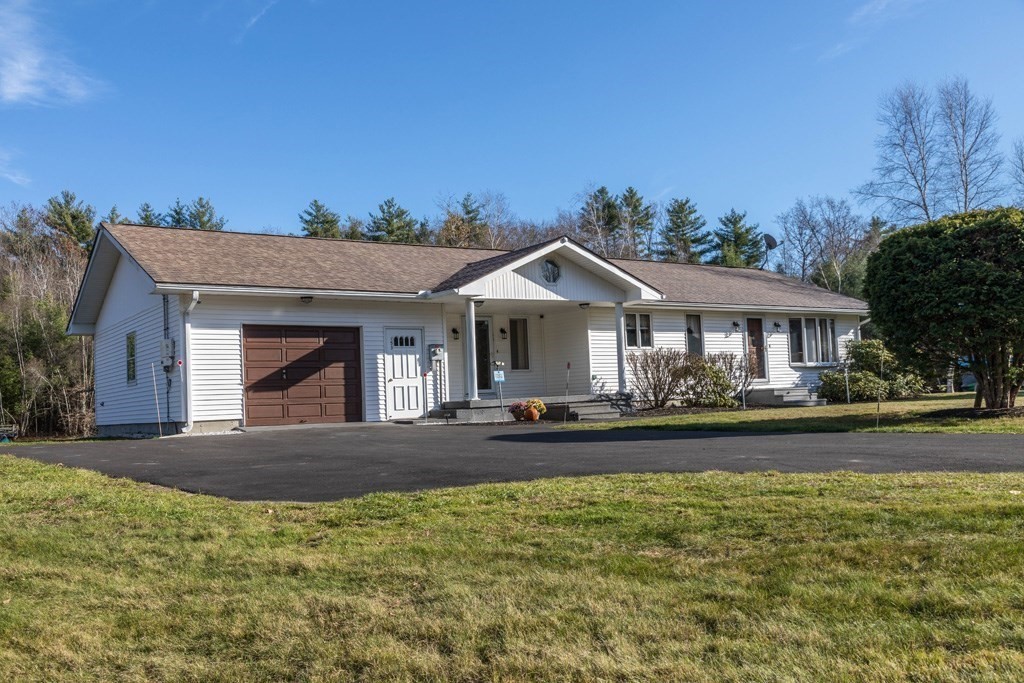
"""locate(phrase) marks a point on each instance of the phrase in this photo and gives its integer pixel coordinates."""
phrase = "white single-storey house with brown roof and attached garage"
(218, 330)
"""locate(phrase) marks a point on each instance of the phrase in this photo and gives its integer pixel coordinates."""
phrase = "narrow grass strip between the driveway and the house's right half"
(902, 416)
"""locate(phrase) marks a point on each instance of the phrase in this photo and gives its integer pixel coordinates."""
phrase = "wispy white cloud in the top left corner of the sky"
(32, 69)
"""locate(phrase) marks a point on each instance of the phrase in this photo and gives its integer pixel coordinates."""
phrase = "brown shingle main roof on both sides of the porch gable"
(175, 257)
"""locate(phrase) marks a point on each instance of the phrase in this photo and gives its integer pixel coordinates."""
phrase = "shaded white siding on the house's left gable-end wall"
(131, 309)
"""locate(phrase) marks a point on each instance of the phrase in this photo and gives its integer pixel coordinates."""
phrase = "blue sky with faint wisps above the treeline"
(263, 106)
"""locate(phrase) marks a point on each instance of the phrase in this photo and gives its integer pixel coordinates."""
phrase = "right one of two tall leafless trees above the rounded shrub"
(971, 160)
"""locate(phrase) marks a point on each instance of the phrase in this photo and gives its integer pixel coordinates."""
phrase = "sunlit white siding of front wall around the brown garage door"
(217, 345)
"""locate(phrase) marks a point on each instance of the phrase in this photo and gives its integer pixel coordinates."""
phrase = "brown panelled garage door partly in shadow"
(296, 375)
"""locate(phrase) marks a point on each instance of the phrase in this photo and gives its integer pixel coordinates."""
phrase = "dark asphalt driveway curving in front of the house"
(329, 463)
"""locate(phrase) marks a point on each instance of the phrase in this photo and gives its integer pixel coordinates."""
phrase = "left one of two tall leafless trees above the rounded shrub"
(906, 183)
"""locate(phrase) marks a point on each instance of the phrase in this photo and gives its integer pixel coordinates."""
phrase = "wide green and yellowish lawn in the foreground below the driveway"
(686, 577)
